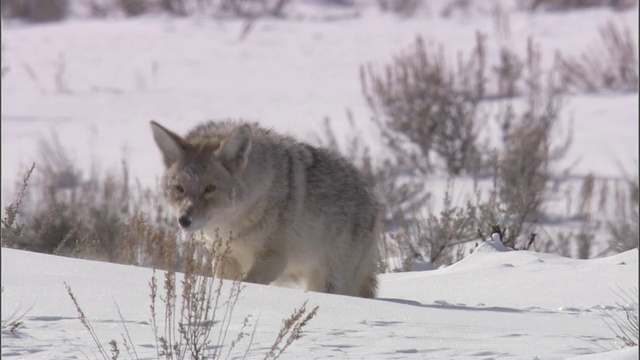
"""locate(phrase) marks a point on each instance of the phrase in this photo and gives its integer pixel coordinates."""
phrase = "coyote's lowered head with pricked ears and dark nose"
(202, 178)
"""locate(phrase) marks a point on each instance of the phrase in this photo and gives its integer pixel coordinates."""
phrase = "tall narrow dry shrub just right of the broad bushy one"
(528, 151)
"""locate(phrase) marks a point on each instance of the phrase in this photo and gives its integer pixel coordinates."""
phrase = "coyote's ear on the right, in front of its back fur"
(234, 150)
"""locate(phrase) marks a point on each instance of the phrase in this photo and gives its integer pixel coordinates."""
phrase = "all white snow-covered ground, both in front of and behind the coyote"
(98, 83)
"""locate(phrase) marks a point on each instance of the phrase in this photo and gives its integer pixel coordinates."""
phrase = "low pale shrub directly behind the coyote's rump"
(410, 236)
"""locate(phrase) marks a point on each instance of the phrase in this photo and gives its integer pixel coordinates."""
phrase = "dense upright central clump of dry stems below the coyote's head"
(190, 316)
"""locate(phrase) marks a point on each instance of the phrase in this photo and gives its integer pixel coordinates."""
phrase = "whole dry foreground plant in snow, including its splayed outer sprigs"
(197, 314)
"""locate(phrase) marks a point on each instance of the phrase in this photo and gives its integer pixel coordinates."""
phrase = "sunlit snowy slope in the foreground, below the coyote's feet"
(493, 304)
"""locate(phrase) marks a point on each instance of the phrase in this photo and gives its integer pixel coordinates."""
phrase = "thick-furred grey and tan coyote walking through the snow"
(293, 212)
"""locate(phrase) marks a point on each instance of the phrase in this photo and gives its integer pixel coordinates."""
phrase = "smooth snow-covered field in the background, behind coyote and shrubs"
(98, 83)
